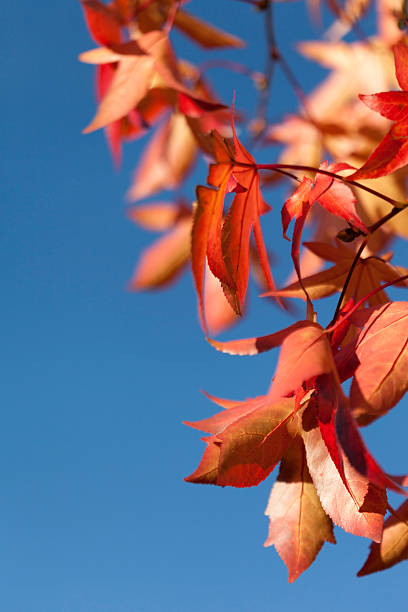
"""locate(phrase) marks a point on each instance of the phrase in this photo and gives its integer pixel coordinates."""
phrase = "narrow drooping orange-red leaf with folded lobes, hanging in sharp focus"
(226, 244)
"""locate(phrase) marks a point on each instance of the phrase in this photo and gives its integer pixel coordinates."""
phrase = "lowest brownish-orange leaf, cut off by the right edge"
(393, 547)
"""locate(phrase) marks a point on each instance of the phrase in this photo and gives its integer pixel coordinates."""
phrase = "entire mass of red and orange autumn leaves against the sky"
(305, 422)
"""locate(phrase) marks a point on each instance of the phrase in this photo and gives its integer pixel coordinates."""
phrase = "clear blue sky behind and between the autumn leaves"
(94, 513)
